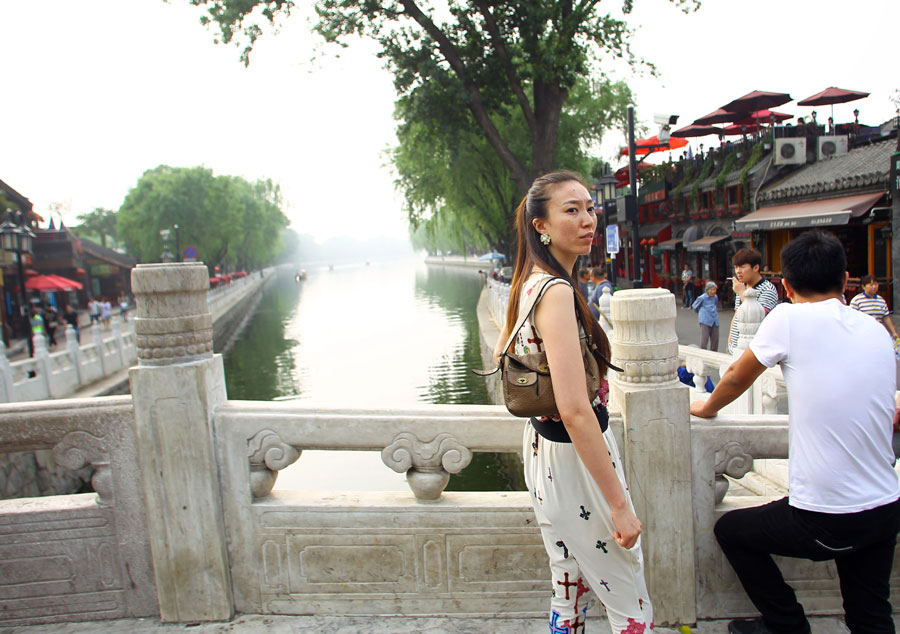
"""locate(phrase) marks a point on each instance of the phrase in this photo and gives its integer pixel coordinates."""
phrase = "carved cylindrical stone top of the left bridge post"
(172, 324)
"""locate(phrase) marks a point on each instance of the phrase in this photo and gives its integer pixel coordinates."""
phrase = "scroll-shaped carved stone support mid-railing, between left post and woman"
(428, 465)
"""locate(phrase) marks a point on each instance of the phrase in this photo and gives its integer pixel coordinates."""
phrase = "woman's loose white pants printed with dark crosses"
(577, 529)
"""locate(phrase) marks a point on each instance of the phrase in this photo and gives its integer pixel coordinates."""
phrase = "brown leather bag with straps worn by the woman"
(527, 386)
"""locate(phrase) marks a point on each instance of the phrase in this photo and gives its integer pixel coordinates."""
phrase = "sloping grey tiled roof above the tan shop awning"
(862, 169)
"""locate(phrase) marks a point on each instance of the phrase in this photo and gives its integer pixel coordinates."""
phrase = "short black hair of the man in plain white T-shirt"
(814, 262)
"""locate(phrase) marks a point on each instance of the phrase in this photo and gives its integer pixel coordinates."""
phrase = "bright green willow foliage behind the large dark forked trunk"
(458, 192)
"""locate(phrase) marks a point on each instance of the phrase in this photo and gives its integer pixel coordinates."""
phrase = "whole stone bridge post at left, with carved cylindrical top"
(176, 386)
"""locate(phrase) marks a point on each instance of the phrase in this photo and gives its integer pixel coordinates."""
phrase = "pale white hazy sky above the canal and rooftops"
(97, 92)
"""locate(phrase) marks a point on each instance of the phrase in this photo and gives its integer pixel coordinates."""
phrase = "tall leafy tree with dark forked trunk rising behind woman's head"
(500, 54)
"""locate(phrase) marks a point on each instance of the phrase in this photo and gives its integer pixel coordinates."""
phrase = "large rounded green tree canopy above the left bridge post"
(229, 220)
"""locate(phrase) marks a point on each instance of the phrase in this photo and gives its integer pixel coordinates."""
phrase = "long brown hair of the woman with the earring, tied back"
(532, 251)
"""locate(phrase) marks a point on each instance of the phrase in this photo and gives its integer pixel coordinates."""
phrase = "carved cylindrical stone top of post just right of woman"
(644, 342)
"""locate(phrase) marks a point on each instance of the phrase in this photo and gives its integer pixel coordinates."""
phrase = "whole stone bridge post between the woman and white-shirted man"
(657, 452)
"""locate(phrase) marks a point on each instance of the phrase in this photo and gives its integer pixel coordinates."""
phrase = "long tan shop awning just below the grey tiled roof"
(817, 213)
